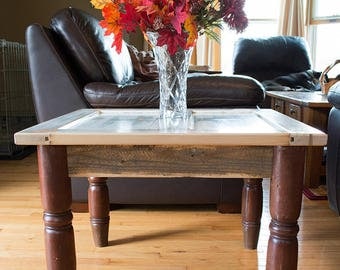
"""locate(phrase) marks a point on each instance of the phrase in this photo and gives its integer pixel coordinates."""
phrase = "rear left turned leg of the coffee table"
(99, 208)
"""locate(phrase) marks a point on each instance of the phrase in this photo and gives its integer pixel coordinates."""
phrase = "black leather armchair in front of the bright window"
(278, 62)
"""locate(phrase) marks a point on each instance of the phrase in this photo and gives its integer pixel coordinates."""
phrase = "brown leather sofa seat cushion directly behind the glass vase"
(203, 91)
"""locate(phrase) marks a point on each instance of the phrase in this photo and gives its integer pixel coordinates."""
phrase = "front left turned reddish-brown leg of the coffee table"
(56, 197)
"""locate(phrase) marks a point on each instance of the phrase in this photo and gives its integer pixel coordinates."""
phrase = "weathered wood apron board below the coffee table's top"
(170, 161)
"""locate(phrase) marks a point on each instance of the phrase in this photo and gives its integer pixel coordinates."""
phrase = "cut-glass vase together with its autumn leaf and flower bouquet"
(172, 28)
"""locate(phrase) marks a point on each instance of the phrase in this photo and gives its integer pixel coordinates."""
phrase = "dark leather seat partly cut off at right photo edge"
(333, 149)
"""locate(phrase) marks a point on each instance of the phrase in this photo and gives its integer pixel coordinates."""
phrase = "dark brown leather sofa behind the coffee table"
(73, 66)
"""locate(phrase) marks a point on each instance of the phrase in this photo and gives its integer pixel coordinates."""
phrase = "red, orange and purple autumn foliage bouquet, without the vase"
(177, 22)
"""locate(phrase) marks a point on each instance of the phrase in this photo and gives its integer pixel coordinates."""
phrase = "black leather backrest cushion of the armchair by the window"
(267, 58)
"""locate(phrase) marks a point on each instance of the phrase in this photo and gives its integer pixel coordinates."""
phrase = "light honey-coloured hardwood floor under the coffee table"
(166, 238)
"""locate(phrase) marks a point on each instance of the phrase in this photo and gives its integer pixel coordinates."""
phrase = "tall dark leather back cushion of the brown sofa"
(89, 49)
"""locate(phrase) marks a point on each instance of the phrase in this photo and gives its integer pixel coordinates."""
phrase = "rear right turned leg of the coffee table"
(252, 197)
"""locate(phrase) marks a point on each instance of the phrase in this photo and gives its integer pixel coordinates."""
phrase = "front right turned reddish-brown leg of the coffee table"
(285, 206)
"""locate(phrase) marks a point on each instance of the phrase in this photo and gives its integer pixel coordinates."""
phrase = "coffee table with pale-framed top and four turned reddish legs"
(238, 143)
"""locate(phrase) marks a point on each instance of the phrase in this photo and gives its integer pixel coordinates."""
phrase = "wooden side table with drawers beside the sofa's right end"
(313, 109)
